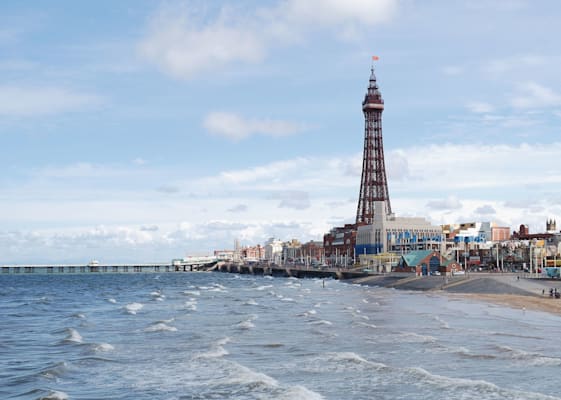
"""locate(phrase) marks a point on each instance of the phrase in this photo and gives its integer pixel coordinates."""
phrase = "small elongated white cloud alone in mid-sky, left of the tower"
(236, 127)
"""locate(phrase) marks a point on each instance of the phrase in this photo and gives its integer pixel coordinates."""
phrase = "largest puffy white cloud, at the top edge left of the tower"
(185, 42)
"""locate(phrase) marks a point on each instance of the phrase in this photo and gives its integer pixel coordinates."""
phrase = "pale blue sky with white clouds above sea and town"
(142, 130)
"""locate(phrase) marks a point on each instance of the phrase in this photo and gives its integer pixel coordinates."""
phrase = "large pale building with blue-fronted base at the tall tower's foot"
(389, 233)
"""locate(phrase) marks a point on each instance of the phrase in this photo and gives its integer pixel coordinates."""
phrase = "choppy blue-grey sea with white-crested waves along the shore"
(211, 335)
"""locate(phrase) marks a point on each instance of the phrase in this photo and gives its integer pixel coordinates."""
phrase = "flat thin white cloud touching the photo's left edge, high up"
(27, 101)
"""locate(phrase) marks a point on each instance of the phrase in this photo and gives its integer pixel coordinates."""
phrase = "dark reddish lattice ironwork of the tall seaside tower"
(373, 184)
